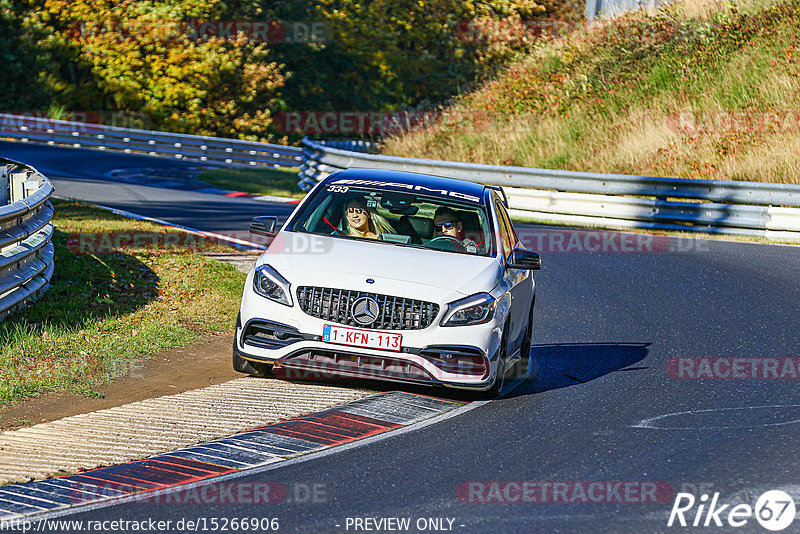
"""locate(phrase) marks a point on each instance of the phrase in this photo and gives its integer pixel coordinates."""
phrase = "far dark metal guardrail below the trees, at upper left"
(179, 146)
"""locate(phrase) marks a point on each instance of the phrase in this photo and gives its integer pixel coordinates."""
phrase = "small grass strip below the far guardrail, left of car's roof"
(279, 181)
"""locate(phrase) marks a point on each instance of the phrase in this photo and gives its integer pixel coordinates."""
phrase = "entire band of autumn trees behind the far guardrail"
(148, 59)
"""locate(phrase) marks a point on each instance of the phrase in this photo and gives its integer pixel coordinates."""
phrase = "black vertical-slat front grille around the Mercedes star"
(396, 313)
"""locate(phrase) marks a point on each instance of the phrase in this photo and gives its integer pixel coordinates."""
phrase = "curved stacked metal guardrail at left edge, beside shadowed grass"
(26, 231)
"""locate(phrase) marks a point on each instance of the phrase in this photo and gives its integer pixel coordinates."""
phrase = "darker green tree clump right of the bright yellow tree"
(391, 54)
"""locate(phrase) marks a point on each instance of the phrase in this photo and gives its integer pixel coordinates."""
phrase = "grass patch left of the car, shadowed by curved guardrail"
(118, 294)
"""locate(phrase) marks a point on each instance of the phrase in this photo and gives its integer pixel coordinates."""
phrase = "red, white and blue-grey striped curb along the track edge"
(349, 422)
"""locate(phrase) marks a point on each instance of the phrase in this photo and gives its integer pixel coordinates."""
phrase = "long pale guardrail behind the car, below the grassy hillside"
(594, 199)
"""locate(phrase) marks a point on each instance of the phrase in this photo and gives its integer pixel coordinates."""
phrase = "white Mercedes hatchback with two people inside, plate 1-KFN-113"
(391, 276)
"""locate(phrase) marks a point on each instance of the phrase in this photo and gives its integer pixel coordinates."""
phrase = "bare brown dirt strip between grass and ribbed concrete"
(206, 362)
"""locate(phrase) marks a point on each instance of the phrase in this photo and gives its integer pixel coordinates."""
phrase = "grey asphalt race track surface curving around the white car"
(600, 405)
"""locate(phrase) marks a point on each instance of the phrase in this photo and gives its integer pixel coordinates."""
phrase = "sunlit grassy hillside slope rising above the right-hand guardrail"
(700, 89)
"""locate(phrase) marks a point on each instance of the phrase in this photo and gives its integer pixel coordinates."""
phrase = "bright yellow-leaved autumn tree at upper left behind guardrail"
(147, 58)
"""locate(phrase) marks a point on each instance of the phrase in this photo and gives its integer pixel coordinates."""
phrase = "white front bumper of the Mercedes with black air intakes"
(291, 340)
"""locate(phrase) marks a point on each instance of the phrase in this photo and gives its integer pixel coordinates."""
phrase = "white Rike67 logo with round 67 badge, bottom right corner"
(774, 510)
